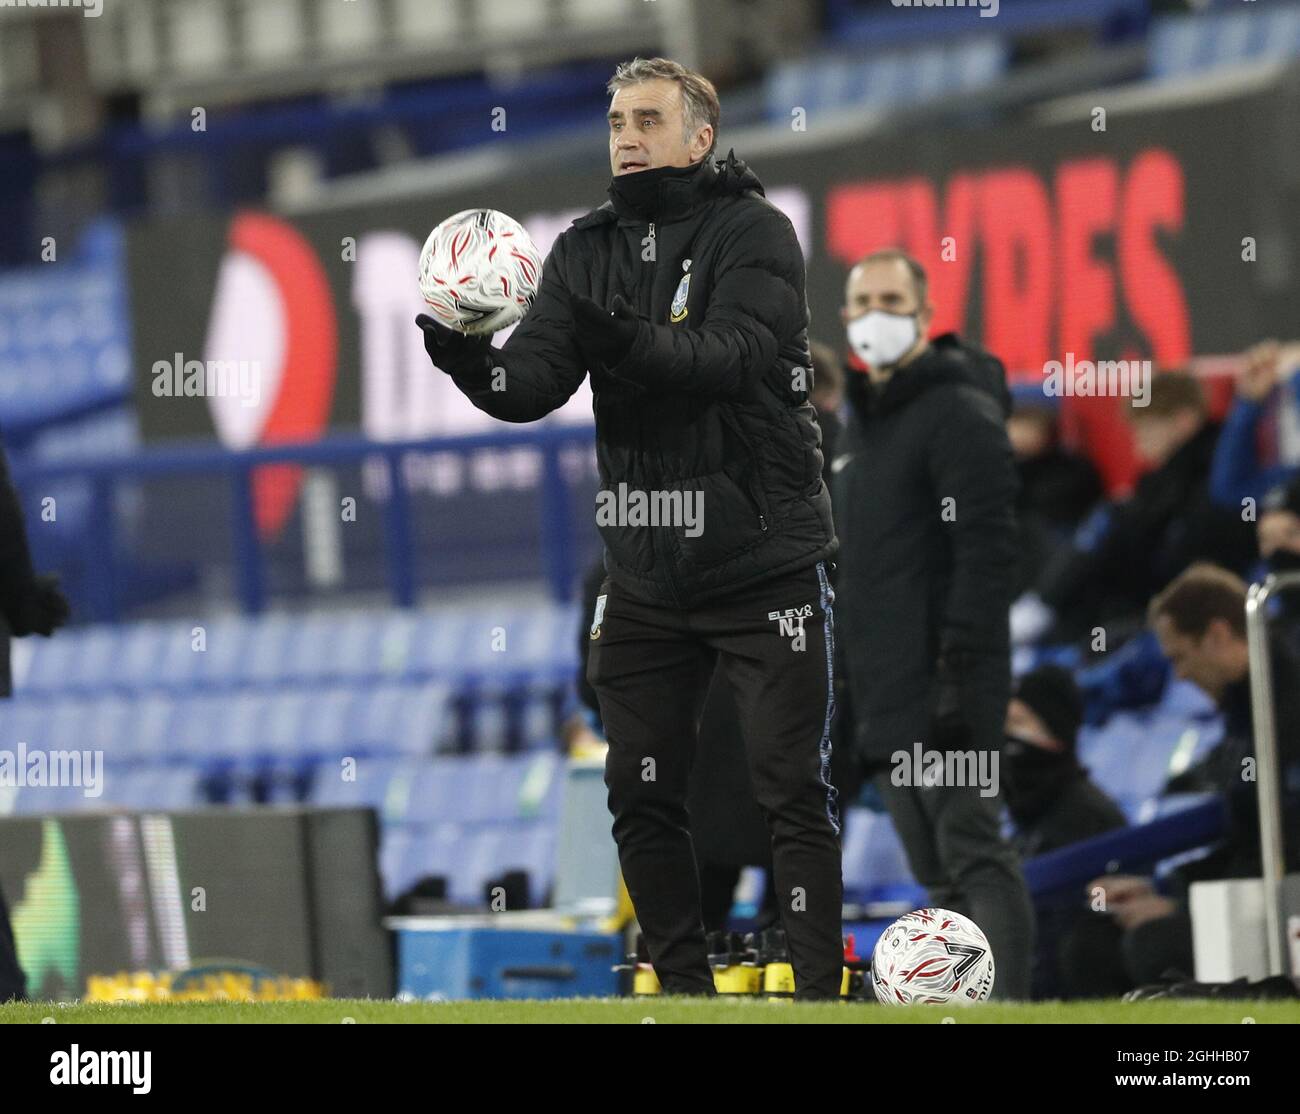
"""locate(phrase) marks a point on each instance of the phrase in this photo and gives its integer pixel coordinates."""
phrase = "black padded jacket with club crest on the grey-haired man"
(708, 401)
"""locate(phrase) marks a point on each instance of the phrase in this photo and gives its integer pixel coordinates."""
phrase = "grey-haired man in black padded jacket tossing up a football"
(683, 298)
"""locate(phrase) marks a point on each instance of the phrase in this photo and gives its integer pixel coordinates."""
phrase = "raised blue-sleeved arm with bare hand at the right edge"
(1238, 473)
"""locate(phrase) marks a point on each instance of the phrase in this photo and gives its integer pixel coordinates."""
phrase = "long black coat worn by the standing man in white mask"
(925, 584)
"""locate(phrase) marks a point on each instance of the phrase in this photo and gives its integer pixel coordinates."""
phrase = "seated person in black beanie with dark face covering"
(1048, 794)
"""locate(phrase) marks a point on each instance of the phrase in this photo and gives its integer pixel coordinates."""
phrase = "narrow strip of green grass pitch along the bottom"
(648, 1011)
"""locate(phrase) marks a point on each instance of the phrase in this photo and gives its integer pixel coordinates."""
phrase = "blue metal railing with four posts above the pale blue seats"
(557, 522)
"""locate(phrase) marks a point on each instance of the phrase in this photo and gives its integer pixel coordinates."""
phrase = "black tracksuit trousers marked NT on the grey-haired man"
(651, 667)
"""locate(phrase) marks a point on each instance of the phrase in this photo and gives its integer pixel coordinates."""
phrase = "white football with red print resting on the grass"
(933, 956)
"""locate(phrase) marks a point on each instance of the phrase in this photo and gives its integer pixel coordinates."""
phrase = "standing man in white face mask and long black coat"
(925, 495)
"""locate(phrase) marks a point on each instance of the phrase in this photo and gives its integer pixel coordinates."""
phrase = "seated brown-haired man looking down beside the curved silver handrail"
(1143, 934)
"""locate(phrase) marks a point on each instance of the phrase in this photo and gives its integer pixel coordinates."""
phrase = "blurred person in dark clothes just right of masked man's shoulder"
(1058, 489)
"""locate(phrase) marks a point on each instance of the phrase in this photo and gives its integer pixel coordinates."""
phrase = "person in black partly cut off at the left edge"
(29, 605)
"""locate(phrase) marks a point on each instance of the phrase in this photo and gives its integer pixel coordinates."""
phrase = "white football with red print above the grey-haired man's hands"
(479, 272)
